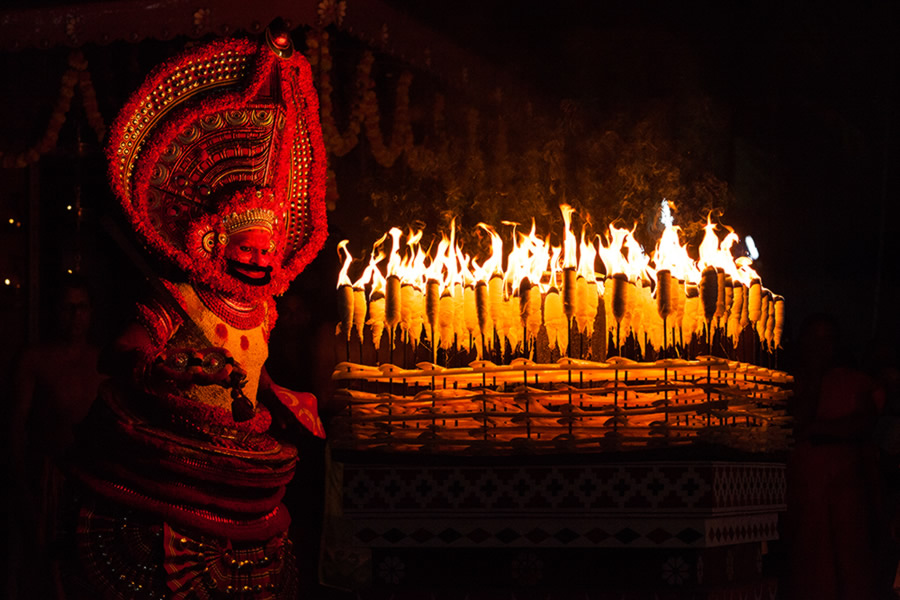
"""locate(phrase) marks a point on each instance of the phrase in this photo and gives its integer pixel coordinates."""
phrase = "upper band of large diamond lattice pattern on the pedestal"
(628, 488)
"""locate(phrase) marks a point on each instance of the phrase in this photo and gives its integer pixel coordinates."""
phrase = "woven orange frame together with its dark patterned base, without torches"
(611, 479)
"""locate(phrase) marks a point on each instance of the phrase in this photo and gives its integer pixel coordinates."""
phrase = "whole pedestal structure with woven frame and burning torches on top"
(529, 424)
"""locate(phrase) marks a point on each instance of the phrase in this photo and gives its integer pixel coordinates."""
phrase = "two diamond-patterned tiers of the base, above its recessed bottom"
(663, 504)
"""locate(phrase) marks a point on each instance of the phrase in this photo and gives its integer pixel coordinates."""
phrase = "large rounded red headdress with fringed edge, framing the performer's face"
(224, 134)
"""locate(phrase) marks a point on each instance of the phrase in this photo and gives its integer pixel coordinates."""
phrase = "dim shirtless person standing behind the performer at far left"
(55, 384)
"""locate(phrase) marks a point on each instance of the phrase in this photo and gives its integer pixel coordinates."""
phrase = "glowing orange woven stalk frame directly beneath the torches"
(572, 405)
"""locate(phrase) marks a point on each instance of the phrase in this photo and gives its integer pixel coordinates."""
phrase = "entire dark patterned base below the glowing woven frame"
(686, 523)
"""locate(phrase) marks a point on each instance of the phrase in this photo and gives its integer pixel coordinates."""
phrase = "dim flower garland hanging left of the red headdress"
(77, 73)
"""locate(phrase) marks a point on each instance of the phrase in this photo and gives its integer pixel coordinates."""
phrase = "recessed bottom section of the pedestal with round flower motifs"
(707, 573)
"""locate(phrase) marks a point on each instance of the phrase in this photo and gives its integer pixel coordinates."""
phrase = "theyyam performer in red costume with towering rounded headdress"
(219, 163)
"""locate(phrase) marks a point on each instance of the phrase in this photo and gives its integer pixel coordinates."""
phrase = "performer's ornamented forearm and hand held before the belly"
(209, 366)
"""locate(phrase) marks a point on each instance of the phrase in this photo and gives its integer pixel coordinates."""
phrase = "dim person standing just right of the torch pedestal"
(832, 472)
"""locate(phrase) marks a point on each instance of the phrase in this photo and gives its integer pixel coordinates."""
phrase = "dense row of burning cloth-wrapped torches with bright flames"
(460, 303)
